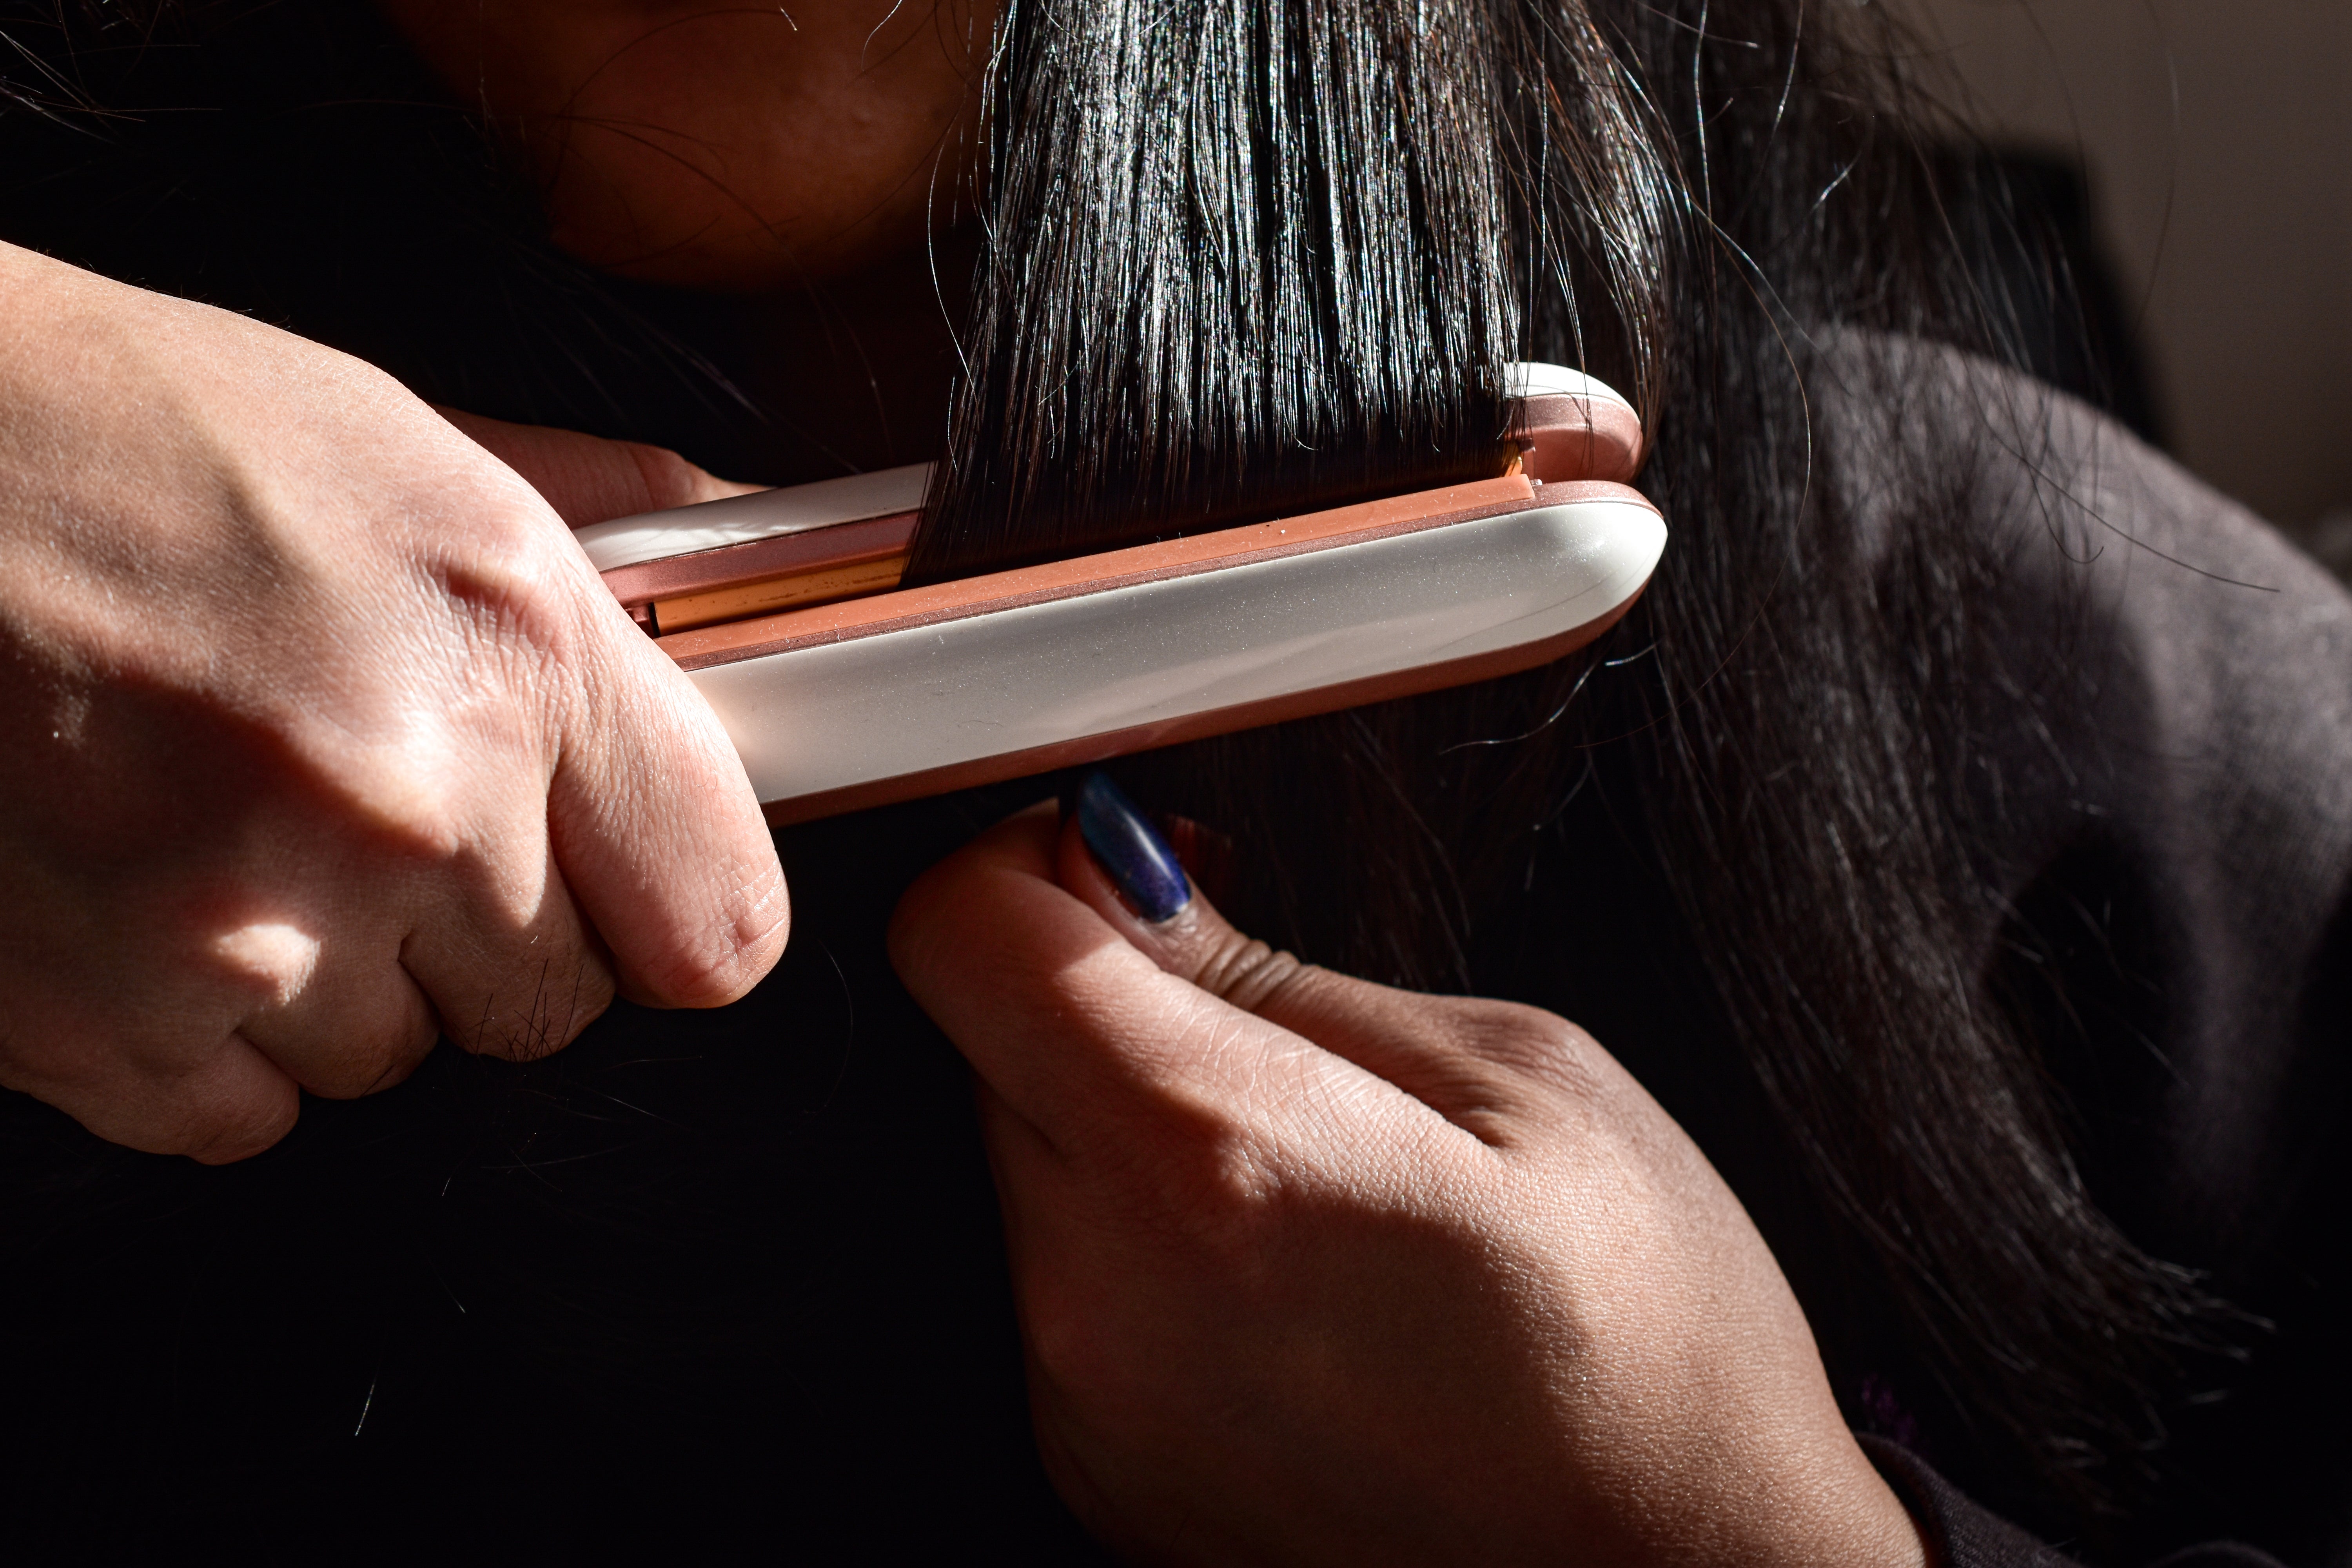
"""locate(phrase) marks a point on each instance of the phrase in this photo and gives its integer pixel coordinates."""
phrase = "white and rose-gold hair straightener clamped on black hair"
(843, 690)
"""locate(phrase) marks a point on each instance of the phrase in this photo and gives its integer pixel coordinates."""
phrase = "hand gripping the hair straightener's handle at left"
(319, 735)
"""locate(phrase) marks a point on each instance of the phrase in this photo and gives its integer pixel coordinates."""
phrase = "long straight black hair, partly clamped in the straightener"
(1262, 253)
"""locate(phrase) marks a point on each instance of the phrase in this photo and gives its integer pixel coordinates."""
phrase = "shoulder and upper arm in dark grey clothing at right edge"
(2158, 775)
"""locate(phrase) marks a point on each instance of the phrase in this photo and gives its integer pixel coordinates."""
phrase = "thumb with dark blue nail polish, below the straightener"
(1116, 862)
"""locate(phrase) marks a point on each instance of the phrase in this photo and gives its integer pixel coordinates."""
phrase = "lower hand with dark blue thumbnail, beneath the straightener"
(1318, 1271)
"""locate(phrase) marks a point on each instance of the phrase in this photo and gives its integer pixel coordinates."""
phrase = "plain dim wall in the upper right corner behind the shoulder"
(2219, 154)
